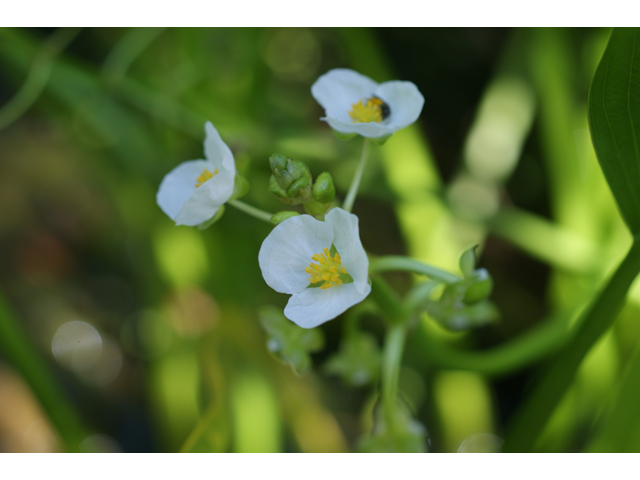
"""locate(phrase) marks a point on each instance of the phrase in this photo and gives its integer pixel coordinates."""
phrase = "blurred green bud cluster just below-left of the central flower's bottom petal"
(289, 342)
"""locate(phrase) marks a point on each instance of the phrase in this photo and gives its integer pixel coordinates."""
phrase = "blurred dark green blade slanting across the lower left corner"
(18, 350)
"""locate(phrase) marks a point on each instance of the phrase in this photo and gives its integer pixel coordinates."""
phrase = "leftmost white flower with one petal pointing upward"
(193, 192)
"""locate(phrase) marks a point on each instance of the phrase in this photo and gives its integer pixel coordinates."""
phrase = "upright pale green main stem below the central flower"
(391, 361)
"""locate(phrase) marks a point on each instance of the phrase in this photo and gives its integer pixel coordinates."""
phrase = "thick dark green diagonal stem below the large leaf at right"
(535, 412)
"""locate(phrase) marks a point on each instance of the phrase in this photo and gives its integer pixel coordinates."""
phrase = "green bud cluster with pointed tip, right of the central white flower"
(465, 304)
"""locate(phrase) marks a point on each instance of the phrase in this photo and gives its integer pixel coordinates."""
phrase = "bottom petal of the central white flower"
(314, 306)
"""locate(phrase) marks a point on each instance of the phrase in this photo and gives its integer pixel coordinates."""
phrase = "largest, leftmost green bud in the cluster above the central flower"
(291, 179)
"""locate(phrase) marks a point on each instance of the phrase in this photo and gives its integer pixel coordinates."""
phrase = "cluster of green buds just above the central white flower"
(292, 183)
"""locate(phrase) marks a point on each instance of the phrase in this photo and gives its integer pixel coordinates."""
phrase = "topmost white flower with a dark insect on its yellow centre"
(354, 103)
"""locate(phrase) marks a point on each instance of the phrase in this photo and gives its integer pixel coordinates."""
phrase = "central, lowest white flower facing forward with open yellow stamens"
(297, 258)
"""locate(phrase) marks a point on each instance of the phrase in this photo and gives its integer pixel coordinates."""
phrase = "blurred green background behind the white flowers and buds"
(146, 337)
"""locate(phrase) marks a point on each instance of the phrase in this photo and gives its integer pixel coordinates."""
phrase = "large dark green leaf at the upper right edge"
(614, 120)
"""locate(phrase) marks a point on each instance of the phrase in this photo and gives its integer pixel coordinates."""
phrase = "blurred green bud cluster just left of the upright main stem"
(358, 361)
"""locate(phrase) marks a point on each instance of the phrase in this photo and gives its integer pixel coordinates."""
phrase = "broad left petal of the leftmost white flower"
(179, 185)
